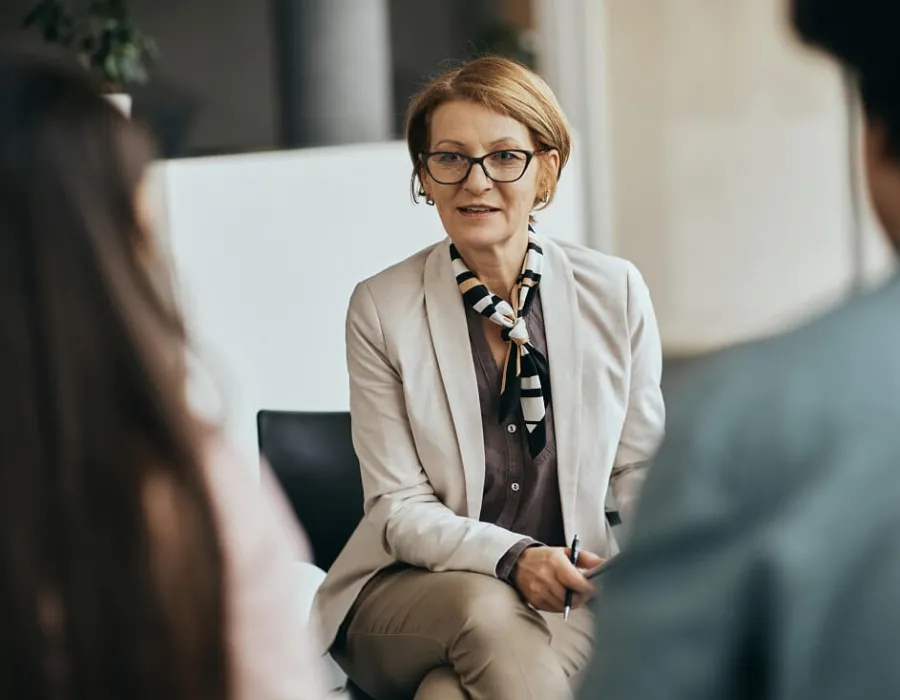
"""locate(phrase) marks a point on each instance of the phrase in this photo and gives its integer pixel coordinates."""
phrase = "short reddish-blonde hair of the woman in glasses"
(502, 86)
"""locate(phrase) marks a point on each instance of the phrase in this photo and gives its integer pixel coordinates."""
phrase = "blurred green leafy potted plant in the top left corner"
(104, 38)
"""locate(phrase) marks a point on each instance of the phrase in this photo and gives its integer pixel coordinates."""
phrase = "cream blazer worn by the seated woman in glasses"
(417, 422)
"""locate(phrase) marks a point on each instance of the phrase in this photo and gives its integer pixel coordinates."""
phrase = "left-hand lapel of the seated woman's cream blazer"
(450, 337)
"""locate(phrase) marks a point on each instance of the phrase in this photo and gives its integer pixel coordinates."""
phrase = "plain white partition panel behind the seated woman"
(268, 248)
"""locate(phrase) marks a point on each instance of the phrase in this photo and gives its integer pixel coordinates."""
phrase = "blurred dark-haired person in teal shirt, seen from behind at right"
(765, 559)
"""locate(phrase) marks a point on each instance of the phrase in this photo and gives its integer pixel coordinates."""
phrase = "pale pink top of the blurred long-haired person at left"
(272, 645)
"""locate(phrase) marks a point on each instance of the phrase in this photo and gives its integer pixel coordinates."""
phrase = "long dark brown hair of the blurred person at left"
(111, 569)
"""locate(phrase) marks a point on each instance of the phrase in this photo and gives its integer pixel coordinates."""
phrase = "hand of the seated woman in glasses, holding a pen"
(542, 575)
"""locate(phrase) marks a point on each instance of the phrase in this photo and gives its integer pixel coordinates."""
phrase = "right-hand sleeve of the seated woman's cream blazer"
(645, 416)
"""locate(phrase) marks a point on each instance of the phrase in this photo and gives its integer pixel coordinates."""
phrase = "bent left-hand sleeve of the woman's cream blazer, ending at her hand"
(415, 526)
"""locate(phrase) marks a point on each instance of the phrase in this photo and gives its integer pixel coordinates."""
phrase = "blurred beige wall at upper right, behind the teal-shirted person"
(728, 147)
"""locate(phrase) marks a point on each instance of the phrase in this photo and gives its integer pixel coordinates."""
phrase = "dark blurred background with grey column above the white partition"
(235, 76)
